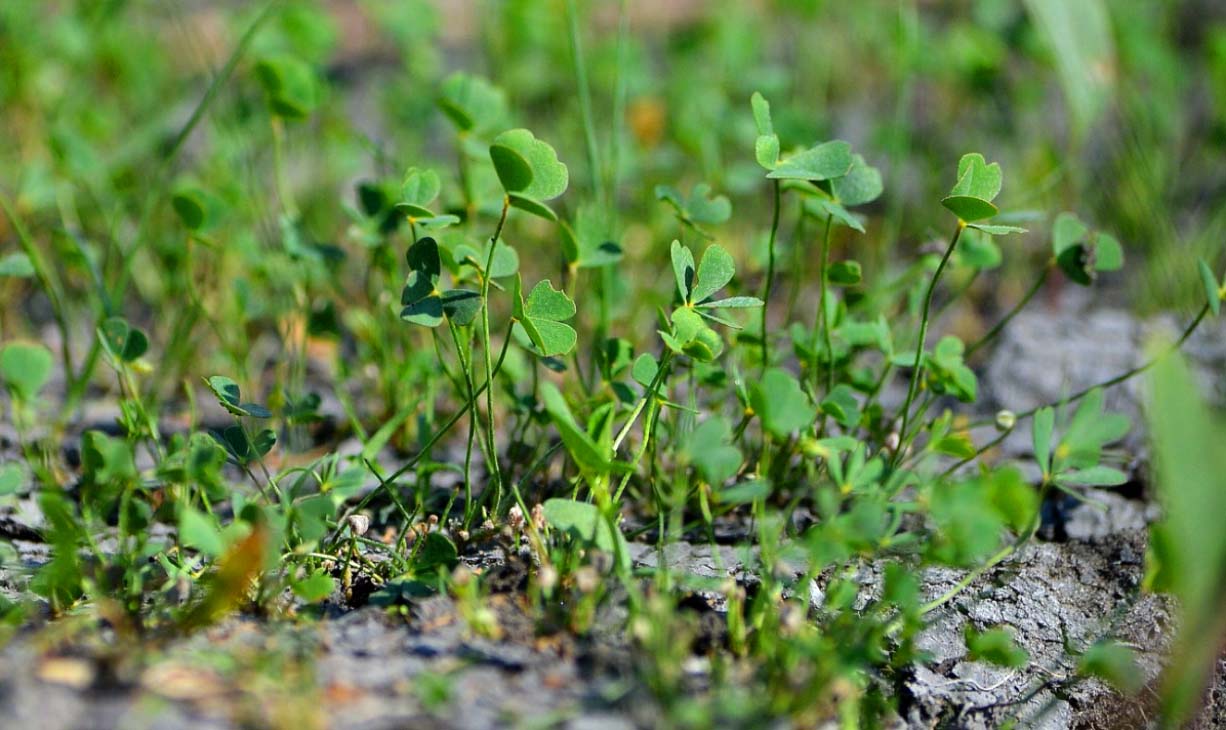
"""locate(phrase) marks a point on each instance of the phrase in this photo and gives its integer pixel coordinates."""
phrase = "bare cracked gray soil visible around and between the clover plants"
(370, 669)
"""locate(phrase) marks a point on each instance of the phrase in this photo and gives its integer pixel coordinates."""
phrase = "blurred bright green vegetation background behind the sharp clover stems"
(1111, 109)
